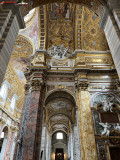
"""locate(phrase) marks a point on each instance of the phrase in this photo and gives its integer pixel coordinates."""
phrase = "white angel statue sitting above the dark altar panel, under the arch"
(107, 104)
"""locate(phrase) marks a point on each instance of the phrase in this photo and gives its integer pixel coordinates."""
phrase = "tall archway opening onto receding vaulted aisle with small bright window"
(60, 119)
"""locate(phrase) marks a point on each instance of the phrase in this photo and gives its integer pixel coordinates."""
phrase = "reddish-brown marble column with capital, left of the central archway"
(32, 138)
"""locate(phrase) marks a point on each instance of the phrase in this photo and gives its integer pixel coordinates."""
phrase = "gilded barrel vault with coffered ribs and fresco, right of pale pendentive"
(73, 26)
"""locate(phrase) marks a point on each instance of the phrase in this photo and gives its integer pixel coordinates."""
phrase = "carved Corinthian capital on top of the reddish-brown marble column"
(36, 84)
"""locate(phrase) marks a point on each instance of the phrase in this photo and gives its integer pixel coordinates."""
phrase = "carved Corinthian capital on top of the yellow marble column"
(82, 85)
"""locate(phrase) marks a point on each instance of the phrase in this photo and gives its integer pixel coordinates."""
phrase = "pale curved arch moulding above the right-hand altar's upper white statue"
(101, 93)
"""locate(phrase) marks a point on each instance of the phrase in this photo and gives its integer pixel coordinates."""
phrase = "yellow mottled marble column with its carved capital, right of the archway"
(87, 138)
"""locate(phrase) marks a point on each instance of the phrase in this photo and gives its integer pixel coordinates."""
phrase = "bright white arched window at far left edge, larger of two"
(4, 91)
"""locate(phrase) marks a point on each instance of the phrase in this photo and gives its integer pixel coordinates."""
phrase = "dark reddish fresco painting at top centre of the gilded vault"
(61, 9)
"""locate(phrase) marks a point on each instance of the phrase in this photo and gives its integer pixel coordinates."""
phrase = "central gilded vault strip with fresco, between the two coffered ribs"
(60, 25)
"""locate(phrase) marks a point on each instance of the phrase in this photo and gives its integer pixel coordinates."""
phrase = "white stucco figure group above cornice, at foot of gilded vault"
(59, 52)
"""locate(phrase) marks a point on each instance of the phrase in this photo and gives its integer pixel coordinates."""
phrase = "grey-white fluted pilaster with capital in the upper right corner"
(110, 22)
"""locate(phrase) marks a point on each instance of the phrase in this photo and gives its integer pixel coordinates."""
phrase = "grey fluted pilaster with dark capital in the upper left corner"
(11, 20)
